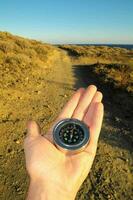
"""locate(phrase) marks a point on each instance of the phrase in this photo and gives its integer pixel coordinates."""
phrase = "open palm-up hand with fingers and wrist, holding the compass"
(54, 174)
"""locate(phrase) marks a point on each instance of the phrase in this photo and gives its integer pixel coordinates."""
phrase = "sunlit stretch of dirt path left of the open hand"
(41, 99)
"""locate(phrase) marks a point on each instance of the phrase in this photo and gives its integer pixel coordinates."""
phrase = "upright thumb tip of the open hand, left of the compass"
(33, 129)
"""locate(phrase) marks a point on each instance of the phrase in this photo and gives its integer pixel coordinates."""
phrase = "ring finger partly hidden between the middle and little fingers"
(88, 116)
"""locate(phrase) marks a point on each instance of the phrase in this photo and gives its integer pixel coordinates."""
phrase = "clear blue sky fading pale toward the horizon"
(69, 21)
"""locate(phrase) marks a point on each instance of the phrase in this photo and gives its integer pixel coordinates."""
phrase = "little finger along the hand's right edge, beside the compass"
(95, 127)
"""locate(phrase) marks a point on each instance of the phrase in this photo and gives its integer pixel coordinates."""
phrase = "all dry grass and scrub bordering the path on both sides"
(20, 58)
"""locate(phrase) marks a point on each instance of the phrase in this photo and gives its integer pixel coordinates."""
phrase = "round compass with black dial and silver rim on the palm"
(71, 135)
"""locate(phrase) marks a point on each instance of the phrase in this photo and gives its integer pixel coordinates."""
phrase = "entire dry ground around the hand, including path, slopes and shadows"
(36, 80)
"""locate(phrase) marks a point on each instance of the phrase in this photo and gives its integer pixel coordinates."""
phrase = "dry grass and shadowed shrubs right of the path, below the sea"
(113, 65)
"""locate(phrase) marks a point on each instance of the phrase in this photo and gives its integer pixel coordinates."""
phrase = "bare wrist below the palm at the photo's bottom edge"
(39, 190)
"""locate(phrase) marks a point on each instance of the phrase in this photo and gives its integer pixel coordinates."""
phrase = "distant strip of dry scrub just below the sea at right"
(99, 53)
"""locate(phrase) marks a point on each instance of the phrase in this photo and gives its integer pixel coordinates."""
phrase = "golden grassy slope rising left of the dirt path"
(20, 58)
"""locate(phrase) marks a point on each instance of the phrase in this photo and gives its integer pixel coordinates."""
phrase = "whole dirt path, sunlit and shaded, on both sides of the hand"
(42, 99)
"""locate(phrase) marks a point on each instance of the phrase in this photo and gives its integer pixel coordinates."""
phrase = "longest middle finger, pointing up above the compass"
(84, 102)
